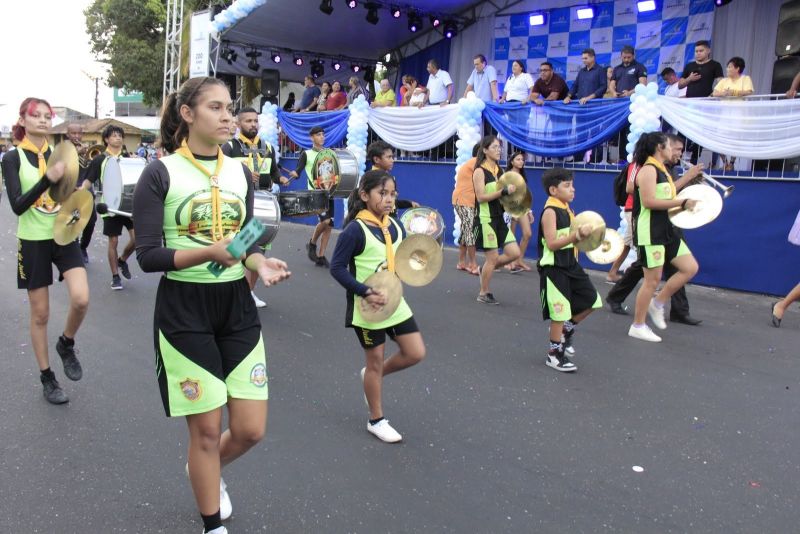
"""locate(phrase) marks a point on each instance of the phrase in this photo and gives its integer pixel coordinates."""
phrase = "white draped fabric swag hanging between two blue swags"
(412, 128)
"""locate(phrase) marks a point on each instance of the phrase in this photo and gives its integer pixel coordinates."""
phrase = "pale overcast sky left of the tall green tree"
(49, 65)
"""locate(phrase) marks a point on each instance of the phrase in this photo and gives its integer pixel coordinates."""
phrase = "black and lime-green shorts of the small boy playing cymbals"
(566, 292)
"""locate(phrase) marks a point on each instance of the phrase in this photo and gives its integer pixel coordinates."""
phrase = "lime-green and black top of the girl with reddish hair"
(28, 196)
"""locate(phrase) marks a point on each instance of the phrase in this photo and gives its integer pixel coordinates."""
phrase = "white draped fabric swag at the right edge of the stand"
(757, 129)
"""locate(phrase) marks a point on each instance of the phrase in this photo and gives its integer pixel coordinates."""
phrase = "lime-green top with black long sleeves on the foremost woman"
(172, 211)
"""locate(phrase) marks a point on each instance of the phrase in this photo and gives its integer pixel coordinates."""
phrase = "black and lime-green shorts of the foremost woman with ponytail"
(208, 346)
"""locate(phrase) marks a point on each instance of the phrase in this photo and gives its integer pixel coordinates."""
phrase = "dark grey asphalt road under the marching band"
(494, 441)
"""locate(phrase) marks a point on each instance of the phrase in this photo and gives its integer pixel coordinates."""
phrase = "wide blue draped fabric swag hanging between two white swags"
(557, 129)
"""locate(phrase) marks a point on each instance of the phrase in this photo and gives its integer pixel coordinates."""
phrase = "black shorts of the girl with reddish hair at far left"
(35, 260)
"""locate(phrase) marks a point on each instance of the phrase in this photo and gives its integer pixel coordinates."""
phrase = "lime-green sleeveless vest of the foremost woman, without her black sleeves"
(187, 212)
